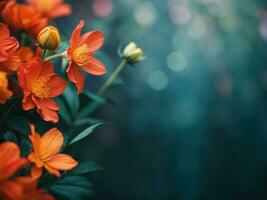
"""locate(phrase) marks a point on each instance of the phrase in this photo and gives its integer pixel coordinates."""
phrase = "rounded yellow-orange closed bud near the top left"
(49, 38)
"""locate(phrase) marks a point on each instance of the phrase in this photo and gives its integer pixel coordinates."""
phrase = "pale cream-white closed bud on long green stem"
(132, 54)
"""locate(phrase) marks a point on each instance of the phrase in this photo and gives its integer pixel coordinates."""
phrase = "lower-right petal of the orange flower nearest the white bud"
(95, 67)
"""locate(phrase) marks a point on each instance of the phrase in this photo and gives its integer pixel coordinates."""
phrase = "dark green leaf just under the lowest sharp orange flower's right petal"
(85, 167)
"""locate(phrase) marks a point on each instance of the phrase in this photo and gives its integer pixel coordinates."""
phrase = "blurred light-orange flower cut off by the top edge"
(51, 8)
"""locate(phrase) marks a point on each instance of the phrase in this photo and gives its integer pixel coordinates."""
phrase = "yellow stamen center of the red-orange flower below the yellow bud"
(40, 88)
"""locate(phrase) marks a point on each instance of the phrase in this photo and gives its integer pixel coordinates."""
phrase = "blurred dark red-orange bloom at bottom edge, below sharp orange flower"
(30, 189)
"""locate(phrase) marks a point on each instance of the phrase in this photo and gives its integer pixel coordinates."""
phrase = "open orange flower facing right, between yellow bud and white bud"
(81, 55)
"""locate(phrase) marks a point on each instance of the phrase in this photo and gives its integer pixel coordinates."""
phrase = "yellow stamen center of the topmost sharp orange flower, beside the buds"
(81, 55)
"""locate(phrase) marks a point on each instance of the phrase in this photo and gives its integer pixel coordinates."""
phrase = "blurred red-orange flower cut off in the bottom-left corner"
(10, 163)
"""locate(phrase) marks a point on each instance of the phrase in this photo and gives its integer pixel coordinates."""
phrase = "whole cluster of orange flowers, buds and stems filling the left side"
(30, 83)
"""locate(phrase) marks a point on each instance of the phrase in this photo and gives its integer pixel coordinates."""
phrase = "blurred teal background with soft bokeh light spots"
(190, 123)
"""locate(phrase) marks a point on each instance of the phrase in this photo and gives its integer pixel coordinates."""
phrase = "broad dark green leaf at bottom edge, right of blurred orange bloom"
(71, 187)
